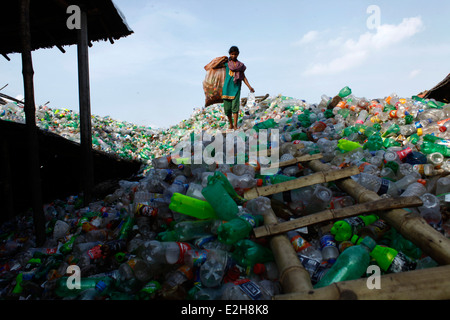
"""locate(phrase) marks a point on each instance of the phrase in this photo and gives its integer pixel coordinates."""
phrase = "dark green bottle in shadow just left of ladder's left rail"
(247, 253)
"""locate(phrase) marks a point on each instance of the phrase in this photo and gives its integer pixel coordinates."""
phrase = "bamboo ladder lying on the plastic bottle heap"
(295, 280)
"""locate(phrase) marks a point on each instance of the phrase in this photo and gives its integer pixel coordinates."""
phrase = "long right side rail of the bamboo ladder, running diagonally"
(413, 228)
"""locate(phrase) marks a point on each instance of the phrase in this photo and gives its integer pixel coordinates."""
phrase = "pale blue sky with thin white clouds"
(298, 48)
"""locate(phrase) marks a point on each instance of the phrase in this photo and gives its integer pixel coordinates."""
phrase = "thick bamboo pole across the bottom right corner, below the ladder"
(424, 284)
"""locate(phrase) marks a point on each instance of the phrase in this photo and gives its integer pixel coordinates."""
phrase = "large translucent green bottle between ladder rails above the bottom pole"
(351, 264)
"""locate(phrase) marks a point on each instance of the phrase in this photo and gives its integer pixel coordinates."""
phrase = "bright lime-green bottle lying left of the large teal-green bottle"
(190, 206)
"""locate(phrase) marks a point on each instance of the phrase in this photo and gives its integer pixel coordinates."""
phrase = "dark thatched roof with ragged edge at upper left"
(48, 20)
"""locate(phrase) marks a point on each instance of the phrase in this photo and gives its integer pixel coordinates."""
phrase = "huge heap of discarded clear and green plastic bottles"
(185, 231)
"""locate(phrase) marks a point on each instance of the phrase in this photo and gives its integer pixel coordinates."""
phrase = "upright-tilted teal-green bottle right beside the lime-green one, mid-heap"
(223, 204)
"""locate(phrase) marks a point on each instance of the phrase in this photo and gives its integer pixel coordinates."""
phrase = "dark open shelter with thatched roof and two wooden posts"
(30, 25)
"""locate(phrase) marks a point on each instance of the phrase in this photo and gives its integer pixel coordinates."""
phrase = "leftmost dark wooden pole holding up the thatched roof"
(30, 119)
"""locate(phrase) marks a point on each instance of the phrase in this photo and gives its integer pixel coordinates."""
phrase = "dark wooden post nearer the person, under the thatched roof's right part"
(85, 110)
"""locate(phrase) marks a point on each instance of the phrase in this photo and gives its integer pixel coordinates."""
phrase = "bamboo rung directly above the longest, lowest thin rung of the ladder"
(315, 178)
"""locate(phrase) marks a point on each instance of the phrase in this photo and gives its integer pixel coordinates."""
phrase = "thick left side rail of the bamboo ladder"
(292, 275)
